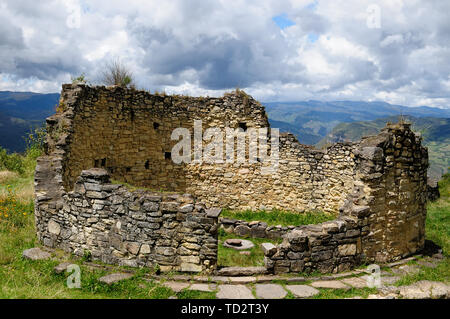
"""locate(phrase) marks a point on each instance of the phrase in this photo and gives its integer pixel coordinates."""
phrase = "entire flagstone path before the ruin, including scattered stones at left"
(253, 282)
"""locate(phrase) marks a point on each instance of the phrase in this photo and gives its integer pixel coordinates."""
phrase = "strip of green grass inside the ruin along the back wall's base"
(278, 217)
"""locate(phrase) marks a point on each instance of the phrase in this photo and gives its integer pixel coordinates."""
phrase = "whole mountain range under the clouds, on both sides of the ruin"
(313, 122)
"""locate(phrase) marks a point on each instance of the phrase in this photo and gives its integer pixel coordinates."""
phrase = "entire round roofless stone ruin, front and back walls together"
(377, 185)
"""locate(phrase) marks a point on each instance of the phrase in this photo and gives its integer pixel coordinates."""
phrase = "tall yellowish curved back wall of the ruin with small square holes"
(128, 133)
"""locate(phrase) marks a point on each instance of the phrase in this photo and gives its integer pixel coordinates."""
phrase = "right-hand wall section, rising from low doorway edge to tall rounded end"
(383, 218)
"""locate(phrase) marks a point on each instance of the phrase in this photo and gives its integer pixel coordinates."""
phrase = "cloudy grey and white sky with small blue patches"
(277, 50)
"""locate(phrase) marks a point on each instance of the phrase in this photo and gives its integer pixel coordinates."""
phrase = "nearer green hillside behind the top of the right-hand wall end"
(435, 133)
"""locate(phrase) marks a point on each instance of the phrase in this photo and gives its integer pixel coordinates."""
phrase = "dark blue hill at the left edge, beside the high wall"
(19, 113)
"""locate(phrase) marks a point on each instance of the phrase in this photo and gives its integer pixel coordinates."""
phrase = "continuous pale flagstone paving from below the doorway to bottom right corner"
(248, 283)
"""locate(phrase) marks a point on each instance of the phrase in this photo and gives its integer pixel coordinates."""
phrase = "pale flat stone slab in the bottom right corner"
(425, 290)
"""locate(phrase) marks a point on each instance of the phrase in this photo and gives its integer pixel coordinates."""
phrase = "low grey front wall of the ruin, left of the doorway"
(137, 228)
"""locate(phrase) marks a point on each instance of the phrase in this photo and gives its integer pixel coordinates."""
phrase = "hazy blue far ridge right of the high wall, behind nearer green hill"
(311, 121)
